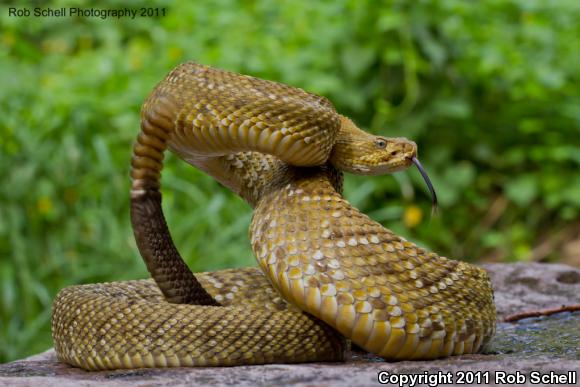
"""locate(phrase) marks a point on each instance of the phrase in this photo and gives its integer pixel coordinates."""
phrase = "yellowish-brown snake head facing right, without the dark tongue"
(362, 153)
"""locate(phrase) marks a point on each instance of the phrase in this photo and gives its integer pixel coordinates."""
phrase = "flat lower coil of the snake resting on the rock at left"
(131, 325)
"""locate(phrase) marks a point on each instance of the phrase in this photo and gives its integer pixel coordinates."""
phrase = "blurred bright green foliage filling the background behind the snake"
(488, 90)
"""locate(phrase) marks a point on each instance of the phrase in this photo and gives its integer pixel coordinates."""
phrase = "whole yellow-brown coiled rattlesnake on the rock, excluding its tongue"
(283, 151)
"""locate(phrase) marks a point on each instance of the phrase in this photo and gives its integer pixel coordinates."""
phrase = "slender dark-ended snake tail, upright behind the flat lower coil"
(176, 281)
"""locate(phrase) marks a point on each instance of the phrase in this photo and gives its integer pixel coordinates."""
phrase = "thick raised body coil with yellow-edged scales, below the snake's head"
(386, 294)
